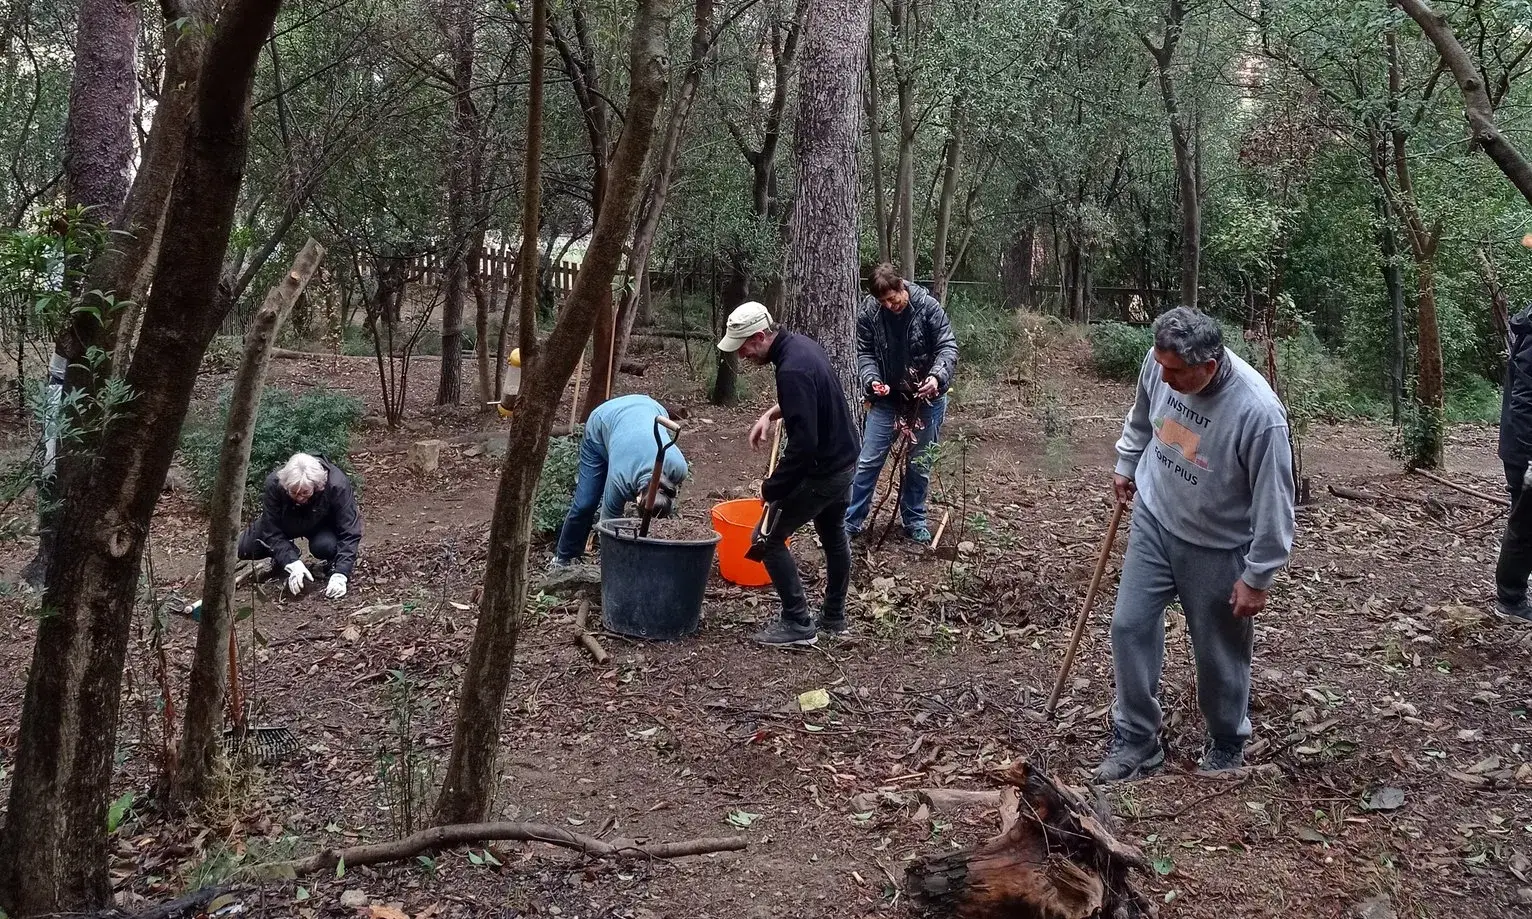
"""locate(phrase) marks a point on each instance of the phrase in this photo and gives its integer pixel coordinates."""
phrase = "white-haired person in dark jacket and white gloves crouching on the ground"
(307, 499)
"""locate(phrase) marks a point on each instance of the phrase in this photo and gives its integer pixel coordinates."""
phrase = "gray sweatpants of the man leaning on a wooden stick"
(1159, 569)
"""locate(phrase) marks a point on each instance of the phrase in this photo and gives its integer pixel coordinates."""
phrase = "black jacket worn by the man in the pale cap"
(822, 437)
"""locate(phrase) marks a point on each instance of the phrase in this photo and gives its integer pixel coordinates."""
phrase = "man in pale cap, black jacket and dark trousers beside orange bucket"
(811, 480)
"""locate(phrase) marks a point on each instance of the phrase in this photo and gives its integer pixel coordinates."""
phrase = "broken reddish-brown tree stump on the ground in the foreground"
(1056, 862)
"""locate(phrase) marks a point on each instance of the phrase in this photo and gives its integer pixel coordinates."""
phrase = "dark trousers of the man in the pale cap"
(822, 502)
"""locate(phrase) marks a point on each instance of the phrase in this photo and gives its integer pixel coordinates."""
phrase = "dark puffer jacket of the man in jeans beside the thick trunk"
(932, 345)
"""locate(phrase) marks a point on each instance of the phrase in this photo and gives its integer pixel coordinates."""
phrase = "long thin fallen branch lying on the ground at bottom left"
(453, 836)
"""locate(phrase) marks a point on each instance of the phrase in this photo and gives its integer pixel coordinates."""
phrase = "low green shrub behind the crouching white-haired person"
(315, 422)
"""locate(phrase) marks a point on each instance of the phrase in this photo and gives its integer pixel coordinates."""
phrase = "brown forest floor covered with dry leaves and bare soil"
(1390, 704)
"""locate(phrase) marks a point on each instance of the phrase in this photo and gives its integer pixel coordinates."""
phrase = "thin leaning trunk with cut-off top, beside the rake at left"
(201, 741)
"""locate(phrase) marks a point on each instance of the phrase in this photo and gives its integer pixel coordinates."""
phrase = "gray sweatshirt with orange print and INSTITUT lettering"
(1216, 469)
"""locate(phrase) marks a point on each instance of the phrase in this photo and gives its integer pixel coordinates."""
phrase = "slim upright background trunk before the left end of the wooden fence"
(465, 183)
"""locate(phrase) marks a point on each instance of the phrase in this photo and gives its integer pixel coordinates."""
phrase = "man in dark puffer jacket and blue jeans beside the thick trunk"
(906, 359)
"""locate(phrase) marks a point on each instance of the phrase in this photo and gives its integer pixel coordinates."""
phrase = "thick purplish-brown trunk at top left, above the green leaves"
(103, 96)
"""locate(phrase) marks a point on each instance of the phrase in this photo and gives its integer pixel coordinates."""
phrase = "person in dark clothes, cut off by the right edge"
(1516, 454)
